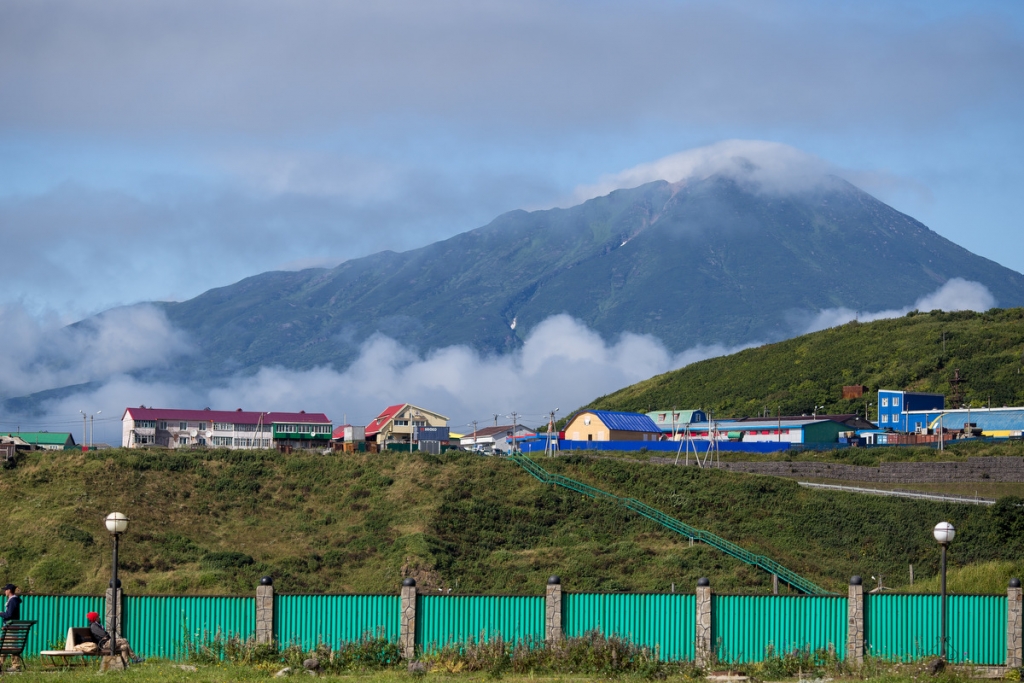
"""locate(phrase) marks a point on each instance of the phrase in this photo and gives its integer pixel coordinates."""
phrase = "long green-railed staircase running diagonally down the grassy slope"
(772, 567)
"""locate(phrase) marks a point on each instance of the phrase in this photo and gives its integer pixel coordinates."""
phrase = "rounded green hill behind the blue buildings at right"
(799, 374)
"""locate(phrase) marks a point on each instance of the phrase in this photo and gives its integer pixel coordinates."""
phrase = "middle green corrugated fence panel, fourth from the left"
(463, 619)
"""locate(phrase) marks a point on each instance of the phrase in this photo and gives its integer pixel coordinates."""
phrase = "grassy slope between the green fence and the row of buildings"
(216, 522)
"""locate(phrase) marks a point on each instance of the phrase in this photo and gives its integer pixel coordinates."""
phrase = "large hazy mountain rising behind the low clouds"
(701, 263)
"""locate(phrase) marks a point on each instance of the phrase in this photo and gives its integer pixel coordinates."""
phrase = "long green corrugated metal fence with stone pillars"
(745, 629)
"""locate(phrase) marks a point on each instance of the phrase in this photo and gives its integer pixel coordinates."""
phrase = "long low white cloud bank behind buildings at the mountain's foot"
(563, 365)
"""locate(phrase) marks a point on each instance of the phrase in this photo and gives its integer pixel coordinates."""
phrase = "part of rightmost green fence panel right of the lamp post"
(977, 629)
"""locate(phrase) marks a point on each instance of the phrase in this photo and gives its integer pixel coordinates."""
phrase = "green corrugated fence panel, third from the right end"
(666, 622)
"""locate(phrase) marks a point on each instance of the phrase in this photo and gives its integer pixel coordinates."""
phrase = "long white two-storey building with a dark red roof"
(177, 429)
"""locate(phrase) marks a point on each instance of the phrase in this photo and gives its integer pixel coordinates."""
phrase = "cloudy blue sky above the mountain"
(153, 151)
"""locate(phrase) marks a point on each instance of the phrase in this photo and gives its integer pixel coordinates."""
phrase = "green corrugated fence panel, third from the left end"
(308, 620)
